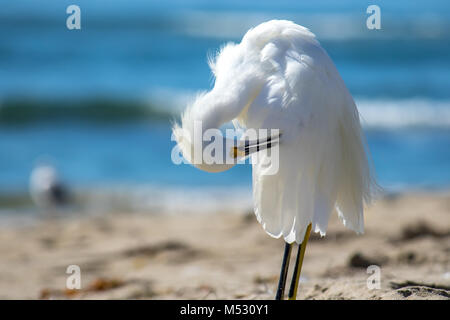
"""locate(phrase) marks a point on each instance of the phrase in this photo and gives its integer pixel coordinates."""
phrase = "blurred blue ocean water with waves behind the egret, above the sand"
(99, 101)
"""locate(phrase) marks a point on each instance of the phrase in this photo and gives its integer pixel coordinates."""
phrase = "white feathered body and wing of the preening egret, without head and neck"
(323, 166)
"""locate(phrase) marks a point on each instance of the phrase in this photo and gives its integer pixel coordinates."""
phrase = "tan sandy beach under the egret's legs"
(227, 255)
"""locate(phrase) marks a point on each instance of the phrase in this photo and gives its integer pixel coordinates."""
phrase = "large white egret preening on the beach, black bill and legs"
(279, 77)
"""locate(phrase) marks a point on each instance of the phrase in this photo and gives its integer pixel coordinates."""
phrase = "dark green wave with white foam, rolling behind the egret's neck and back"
(166, 104)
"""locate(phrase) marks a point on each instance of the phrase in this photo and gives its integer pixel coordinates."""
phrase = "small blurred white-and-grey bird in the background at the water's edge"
(46, 189)
